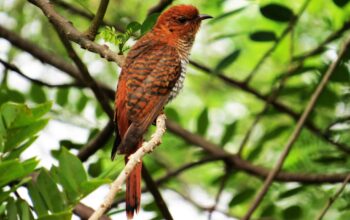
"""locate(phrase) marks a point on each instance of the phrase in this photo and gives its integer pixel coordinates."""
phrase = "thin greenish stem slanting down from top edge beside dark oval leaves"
(289, 28)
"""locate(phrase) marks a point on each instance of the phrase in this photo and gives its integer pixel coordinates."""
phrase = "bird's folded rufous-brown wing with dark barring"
(149, 81)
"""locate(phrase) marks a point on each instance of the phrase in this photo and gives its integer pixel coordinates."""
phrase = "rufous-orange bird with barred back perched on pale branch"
(152, 75)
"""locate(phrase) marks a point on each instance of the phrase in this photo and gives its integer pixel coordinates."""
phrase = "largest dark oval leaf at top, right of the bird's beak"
(277, 12)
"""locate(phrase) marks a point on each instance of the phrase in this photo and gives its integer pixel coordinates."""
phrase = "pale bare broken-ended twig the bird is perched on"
(133, 160)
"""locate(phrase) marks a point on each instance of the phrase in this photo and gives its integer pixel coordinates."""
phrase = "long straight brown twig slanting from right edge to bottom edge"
(259, 197)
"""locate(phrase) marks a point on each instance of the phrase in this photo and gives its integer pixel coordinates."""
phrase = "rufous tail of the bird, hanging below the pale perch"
(133, 188)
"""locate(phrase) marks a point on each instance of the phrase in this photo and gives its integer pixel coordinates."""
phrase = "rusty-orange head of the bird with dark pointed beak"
(180, 22)
